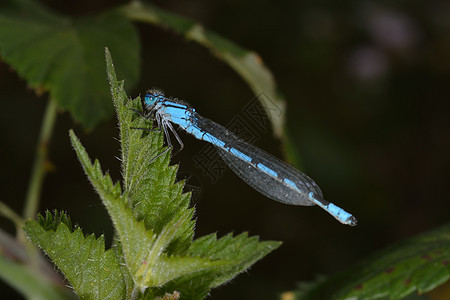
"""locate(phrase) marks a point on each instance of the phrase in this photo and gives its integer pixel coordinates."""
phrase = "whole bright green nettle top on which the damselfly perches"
(153, 254)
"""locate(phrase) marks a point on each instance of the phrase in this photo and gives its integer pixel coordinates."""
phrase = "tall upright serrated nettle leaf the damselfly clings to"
(149, 181)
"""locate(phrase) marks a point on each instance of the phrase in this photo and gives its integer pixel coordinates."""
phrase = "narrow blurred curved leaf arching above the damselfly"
(246, 63)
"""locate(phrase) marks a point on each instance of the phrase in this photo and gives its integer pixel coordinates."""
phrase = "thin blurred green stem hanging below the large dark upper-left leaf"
(39, 165)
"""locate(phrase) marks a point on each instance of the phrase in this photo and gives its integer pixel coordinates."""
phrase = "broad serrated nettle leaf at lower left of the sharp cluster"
(92, 271)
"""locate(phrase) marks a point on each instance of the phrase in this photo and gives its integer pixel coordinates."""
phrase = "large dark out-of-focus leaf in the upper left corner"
(64, 56)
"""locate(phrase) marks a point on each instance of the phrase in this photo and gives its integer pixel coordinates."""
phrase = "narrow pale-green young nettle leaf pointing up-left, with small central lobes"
(144, 251)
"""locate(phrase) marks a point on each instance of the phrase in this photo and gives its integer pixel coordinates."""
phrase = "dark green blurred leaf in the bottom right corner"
(418, 264)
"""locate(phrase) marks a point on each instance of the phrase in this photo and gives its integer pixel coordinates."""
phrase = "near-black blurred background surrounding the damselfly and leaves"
(367, 87)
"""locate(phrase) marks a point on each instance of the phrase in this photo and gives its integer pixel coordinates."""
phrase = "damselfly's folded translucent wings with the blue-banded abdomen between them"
(265, 173)
